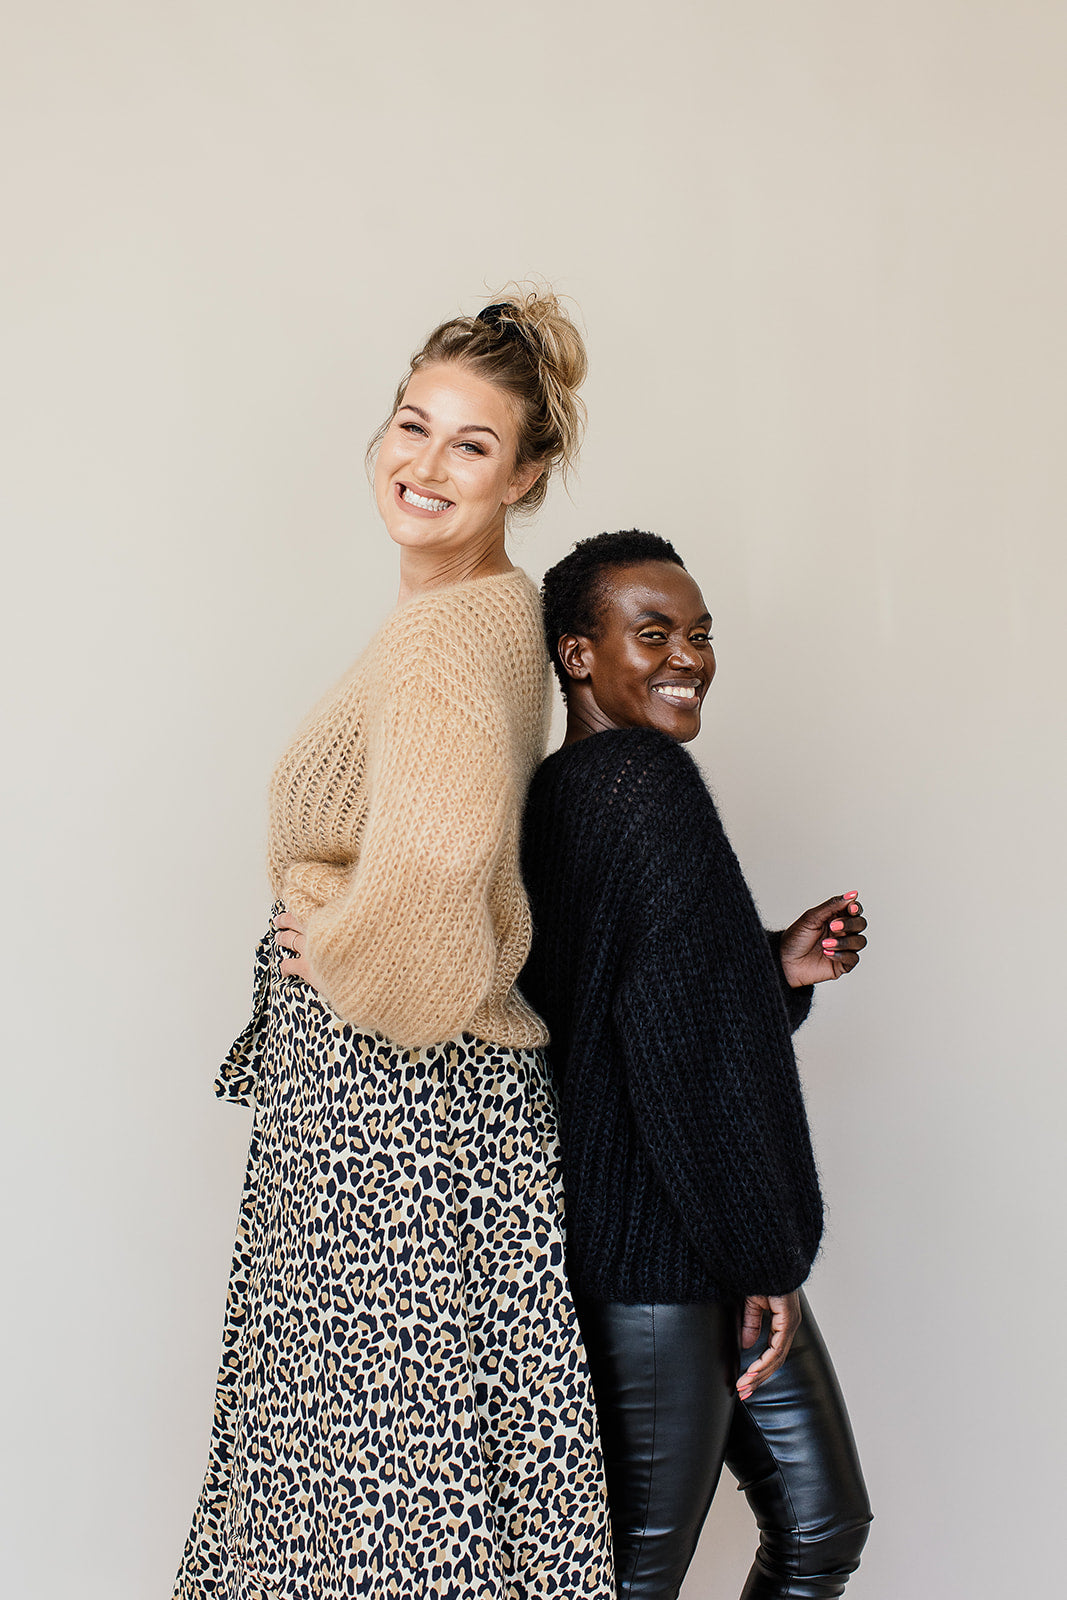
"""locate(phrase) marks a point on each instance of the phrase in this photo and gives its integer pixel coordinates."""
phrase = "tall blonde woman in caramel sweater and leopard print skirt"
(402, 1406)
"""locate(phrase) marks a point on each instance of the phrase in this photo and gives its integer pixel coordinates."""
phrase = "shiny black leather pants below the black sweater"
(669, 1417)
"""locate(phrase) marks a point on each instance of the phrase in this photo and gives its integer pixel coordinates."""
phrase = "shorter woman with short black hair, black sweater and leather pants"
(692, 1193)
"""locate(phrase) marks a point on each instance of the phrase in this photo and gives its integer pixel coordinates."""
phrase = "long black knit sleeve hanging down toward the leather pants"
(701, 1028)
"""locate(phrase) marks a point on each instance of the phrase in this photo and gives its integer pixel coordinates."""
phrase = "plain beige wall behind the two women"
(821, 257)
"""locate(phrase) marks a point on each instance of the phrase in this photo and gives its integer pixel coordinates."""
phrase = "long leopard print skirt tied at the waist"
(402, 1407)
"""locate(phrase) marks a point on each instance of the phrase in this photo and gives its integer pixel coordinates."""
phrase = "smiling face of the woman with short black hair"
(652, 658)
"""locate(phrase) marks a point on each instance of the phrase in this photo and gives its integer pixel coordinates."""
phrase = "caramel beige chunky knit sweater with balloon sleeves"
(396, 818)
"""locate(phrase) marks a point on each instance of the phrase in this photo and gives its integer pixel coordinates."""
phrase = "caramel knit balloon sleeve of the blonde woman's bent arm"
(441, 785)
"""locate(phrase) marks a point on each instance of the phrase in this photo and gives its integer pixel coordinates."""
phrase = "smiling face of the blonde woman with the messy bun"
(446, 471)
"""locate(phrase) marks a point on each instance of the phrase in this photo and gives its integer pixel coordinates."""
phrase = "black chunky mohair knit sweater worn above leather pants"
(687, 1161)
